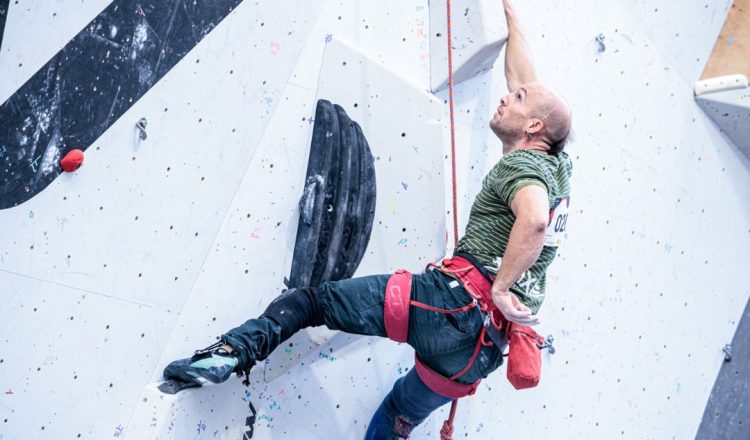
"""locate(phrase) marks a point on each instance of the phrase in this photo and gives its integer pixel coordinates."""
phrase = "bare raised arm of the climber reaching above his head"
(519, 69)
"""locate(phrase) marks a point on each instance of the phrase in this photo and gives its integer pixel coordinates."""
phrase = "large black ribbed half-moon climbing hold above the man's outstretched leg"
(337, 208)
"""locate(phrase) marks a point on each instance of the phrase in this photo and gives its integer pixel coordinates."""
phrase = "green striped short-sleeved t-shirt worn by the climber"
(491, 217)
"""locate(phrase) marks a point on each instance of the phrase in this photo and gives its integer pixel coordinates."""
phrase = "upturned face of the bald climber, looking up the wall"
(510, 119)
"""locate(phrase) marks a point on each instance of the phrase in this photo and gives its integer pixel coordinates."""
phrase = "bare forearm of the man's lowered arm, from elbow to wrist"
(524, 246)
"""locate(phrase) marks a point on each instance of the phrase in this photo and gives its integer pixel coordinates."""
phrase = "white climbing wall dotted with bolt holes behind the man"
(158, 245)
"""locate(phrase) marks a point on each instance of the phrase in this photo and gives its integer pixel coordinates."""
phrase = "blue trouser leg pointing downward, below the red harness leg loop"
(406, 406)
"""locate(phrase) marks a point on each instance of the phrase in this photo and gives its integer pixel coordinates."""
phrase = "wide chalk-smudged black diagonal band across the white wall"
(91, 82)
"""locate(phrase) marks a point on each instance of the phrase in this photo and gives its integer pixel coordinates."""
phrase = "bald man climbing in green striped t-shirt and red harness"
(499, 265)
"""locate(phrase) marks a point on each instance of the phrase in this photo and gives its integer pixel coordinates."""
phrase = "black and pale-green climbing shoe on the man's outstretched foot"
(212, 364)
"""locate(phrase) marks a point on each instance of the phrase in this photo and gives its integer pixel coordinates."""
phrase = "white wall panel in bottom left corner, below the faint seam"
(69, 359)
